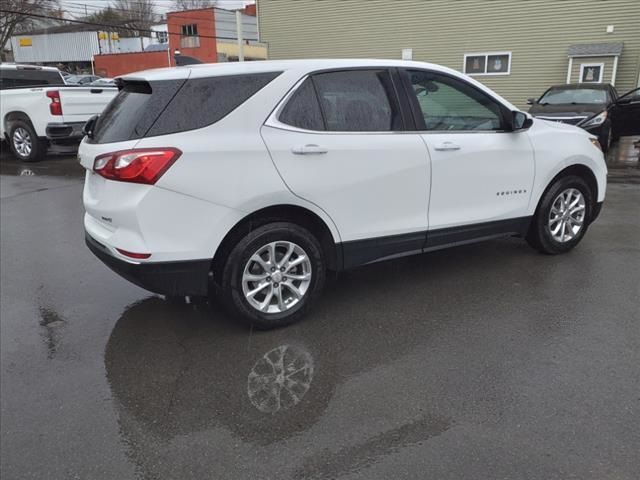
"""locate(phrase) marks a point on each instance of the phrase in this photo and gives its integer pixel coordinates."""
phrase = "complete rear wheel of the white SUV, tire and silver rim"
(273, 275)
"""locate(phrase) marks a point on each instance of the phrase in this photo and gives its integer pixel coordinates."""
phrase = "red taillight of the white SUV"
(136, 166)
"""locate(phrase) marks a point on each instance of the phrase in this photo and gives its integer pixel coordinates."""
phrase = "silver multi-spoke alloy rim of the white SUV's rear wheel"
(276, 277)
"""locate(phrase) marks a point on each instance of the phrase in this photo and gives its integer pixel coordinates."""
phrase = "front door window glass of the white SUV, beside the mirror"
(447, 103)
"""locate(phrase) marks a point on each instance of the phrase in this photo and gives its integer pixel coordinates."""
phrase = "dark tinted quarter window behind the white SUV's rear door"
(204, 101)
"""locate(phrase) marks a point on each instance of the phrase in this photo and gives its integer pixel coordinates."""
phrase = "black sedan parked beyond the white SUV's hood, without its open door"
(581, 104)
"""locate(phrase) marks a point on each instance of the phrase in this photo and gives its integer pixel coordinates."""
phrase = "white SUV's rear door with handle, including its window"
(344, 149)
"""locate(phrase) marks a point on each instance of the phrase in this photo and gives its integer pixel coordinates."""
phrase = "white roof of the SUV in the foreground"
(237, 68)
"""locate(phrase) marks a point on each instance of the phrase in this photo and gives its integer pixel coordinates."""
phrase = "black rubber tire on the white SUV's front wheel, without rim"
(539, 235)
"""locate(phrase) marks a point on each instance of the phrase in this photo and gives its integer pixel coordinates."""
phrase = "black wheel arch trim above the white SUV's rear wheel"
(277, 213)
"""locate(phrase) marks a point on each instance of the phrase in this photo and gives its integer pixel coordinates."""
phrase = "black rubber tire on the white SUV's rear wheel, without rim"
(230, 290)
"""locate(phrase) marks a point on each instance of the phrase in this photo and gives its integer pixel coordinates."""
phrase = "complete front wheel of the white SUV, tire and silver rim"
(562, 216)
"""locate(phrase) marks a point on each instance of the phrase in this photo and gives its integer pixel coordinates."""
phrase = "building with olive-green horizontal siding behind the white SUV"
(516, 47)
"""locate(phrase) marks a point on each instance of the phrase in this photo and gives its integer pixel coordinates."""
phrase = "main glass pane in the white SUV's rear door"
(358, 100)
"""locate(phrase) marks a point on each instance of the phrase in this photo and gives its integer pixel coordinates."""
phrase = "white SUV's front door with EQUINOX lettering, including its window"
(480, 173)
